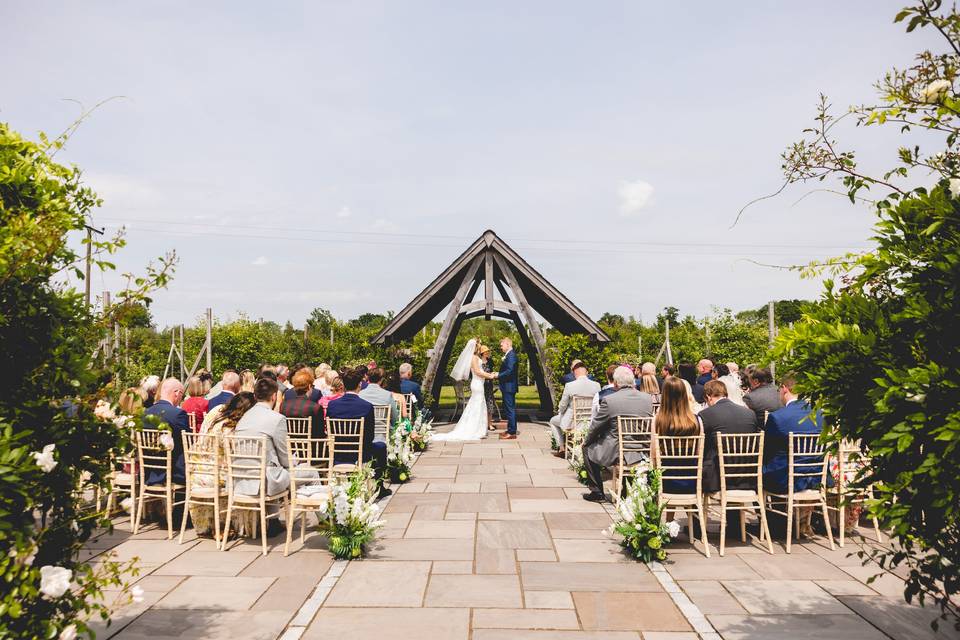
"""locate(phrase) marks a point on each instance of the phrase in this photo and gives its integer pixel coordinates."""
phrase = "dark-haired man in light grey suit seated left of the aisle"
(262, 420)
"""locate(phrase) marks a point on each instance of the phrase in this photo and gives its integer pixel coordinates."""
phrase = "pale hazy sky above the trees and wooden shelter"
(341, 155)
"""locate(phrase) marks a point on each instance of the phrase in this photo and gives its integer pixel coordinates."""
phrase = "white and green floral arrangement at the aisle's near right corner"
(639, 519)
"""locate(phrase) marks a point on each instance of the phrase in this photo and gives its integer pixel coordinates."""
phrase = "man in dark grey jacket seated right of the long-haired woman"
(722, 416)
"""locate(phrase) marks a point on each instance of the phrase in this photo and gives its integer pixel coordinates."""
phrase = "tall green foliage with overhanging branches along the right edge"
(879, 352)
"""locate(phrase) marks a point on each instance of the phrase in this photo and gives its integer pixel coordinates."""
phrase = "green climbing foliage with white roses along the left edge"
(50, 384)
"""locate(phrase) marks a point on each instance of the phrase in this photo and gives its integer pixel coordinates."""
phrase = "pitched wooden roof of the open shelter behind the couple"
(542, 296)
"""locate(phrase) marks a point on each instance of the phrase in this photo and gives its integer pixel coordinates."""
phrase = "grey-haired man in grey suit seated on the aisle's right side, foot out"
(601, 448)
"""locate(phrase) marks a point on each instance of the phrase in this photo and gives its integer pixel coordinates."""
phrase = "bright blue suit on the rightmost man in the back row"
(793, 418)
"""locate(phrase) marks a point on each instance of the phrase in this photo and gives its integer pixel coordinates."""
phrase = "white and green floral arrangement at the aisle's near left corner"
(350, 517)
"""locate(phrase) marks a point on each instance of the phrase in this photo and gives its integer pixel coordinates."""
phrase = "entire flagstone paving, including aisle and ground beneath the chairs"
(492, 541)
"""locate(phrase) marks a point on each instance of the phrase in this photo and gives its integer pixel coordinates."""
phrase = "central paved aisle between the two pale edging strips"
(492, 541)
